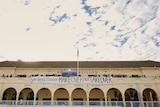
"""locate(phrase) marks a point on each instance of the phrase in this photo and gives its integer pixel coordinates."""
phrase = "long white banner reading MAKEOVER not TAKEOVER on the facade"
(72, 80)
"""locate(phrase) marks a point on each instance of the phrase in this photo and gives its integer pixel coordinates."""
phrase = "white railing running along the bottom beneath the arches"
(31, 103)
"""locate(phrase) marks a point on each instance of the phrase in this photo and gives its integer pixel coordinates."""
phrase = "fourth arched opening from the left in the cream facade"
(61, 96)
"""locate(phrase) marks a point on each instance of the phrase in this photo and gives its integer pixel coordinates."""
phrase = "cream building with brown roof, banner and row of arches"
(101, 83)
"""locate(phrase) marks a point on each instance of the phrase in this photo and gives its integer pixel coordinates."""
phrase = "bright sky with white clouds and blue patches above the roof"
(104, 30)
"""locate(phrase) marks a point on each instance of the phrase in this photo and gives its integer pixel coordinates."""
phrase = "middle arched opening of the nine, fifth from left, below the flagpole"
(79, 96)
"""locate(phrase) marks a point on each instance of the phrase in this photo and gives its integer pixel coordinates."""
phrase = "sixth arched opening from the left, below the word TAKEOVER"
(96, 96)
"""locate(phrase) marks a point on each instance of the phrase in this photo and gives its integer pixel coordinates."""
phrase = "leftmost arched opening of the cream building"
(9, 94)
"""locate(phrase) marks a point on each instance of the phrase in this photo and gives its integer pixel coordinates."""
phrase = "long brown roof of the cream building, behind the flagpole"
(82, 64)
